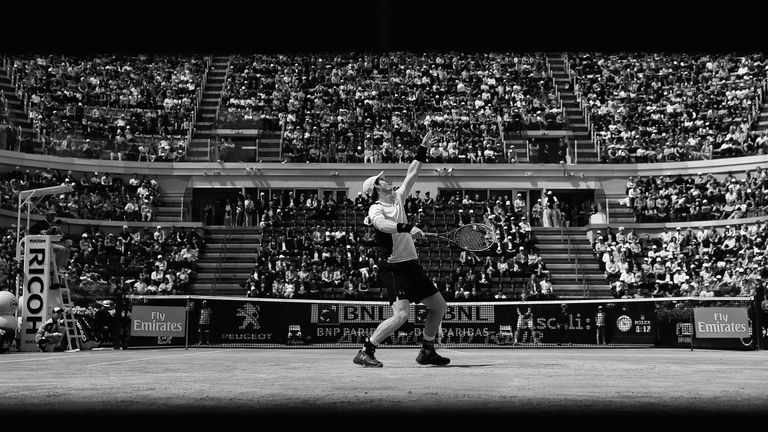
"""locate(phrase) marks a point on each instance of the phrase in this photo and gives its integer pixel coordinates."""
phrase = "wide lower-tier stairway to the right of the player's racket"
(575, 276)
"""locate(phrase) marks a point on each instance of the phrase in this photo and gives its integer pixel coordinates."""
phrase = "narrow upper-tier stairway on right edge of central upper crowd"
(574, 116)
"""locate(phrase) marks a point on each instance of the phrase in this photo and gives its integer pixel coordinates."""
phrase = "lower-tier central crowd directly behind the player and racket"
(317, 248)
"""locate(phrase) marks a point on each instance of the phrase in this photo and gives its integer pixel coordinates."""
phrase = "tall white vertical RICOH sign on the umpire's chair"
(37, 281)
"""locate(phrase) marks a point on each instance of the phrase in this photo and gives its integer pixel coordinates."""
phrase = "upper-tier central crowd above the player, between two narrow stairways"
(366, 108)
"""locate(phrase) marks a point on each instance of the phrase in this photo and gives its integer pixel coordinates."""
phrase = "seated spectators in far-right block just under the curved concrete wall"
(698, 198)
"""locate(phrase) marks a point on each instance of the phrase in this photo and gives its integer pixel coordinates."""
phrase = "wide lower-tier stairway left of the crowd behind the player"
(238, 259)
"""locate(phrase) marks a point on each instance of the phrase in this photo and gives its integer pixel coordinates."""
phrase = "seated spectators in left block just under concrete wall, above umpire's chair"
(95, 196)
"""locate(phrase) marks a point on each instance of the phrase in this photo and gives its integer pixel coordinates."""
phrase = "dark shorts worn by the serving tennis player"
(405, 280)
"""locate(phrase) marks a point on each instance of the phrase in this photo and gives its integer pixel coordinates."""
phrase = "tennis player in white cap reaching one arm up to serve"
(400, 273)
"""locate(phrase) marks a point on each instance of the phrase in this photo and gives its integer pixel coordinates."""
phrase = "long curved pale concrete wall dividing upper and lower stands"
(175, 178)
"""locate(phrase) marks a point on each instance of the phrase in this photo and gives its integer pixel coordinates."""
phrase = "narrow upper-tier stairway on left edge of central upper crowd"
(206, 115)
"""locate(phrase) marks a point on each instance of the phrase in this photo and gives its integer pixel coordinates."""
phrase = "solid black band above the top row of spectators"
(378, 25)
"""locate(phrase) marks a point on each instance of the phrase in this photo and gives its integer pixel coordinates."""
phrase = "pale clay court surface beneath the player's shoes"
(489, 382)
